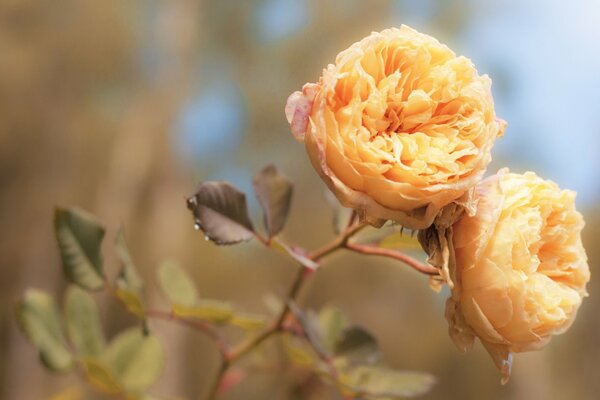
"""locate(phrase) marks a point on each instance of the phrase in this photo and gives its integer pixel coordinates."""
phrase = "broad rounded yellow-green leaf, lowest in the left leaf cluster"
(134, 358)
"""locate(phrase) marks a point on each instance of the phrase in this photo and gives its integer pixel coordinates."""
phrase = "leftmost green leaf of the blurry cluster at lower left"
(38, 318)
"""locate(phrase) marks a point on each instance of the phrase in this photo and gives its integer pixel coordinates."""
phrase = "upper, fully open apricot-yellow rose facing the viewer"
(399, 127)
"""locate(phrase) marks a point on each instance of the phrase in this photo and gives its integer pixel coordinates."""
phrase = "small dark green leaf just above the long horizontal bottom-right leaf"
(357, 346)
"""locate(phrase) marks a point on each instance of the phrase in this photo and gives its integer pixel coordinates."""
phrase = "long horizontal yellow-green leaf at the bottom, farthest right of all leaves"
(382, 383)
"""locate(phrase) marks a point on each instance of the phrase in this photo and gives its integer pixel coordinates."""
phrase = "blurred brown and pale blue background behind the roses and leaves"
(121, 107)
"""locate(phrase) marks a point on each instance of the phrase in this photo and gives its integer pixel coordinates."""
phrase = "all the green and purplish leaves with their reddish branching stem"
(325, 343)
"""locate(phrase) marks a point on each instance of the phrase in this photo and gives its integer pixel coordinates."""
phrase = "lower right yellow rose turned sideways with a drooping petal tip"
(520, 267)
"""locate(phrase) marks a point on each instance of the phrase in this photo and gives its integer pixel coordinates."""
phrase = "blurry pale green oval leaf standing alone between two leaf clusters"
(177, 284)
